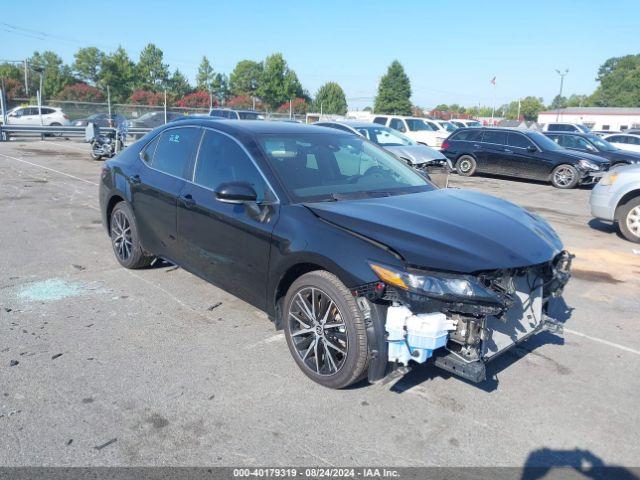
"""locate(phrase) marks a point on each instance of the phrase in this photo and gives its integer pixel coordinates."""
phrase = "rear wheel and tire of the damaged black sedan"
(125, 240)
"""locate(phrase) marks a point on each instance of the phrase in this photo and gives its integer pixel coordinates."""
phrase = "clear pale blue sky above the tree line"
(450, 49)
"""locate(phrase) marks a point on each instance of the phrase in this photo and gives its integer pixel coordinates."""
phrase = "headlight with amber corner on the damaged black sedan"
(443, 286)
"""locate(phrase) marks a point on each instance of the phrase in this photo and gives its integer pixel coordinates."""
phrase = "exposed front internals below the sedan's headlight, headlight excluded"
(461, 334)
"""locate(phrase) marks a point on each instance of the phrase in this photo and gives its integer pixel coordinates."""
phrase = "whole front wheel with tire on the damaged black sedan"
(325, 330)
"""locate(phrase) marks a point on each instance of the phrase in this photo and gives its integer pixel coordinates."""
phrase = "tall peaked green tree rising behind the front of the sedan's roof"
(278, 83)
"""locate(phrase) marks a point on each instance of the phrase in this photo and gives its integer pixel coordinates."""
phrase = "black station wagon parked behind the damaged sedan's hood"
(521, 154)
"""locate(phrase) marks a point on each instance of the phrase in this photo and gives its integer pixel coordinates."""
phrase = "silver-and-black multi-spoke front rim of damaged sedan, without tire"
(318, 331)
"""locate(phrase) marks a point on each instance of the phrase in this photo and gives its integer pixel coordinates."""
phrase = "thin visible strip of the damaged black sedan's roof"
(256, 126)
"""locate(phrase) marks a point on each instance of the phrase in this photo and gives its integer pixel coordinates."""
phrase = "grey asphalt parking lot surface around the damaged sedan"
(120, 367)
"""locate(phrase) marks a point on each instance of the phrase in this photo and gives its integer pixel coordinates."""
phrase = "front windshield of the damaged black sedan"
(328, 167)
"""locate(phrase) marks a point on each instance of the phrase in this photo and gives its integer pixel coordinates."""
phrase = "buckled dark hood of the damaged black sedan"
(448, 229)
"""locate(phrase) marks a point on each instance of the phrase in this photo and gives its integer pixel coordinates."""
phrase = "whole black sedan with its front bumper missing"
(361, 260)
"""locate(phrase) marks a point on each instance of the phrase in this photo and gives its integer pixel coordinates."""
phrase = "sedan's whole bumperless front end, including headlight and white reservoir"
(462, 321)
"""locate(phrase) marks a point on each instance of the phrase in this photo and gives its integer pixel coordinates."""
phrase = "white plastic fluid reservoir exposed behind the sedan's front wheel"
(414, 337)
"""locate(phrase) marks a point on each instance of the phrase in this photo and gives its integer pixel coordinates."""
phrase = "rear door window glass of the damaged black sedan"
(175, 149)
